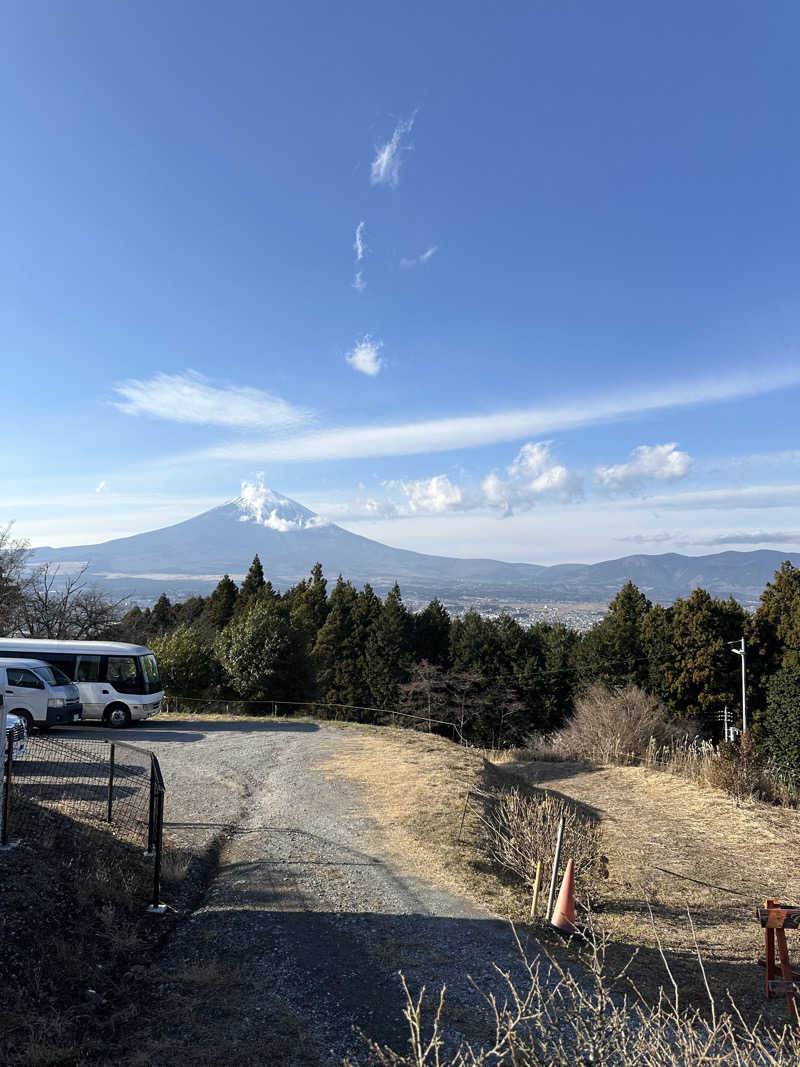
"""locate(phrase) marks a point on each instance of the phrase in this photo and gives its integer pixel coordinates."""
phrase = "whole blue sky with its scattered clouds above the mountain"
(516, 281)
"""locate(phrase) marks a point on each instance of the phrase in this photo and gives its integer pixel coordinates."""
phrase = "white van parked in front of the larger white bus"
(39, 694)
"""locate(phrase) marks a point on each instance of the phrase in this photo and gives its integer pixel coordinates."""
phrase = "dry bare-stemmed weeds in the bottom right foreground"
(561, 1017)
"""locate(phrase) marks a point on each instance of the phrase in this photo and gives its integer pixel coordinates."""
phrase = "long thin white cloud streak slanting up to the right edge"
(470, 432)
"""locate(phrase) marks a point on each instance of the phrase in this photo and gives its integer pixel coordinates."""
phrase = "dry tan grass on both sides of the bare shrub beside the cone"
(670, 845)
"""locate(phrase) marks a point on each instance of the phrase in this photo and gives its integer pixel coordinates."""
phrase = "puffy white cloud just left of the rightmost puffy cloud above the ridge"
(533, 476)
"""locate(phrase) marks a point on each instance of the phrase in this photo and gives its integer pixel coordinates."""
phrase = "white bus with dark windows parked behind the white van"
(118, 683)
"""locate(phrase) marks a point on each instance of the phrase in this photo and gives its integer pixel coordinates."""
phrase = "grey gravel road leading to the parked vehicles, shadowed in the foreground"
(308, 914)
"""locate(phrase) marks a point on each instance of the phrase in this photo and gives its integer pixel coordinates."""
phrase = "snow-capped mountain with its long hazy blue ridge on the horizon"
(190, 558)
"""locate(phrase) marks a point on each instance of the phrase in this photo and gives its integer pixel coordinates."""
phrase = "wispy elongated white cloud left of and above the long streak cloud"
(193, 399)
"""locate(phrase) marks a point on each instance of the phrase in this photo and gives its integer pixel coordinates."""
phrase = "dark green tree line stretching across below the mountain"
(492, 680)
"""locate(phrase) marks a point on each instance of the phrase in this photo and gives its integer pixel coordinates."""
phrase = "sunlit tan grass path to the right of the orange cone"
(677, 846)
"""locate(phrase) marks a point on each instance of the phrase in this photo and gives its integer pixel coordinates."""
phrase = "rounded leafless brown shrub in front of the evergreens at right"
(615, 726)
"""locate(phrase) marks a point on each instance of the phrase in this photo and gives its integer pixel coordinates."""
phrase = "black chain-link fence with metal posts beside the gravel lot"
(110, 785)
